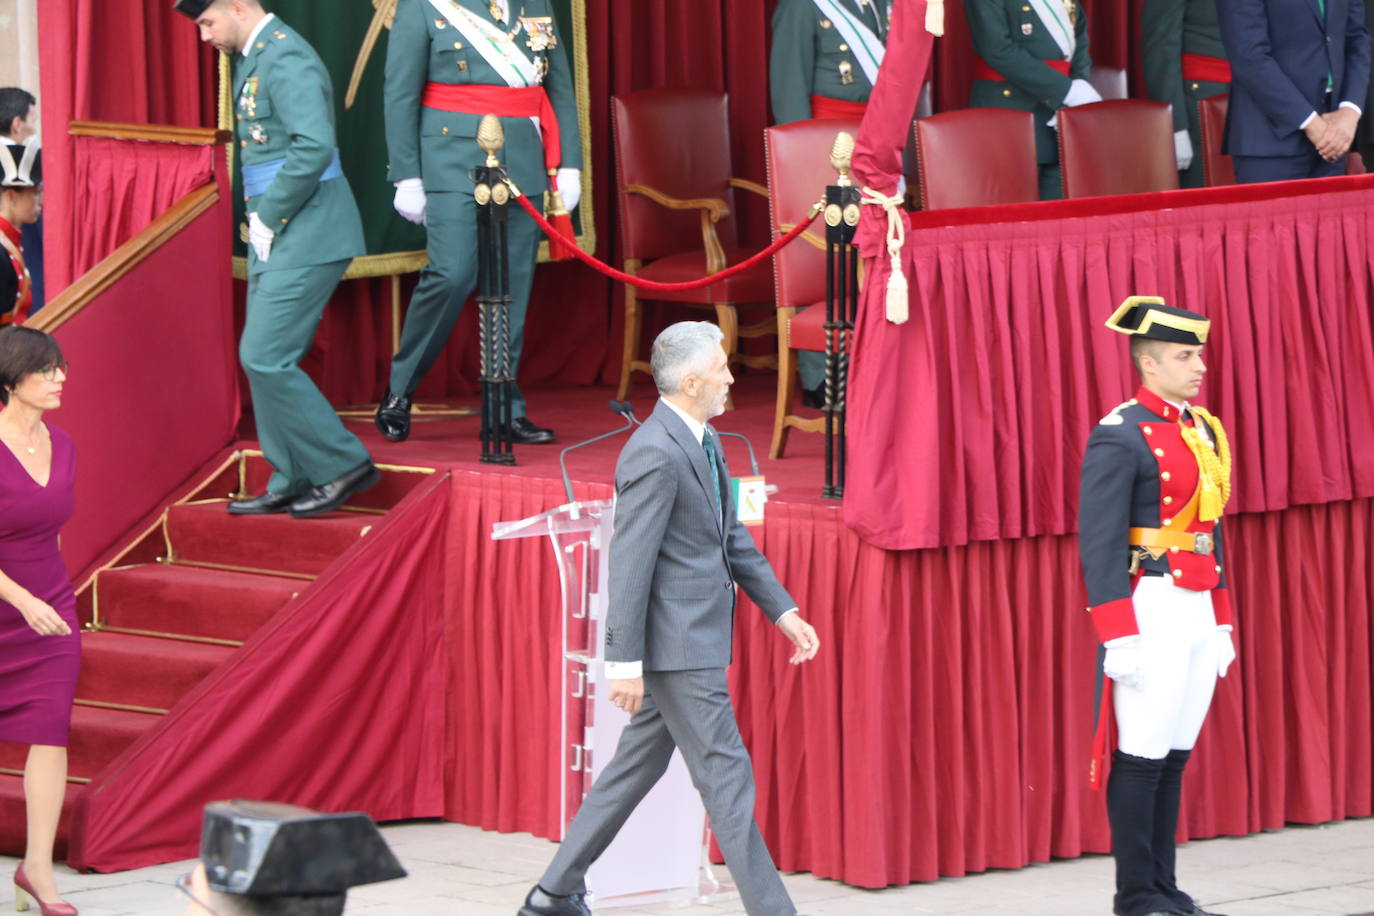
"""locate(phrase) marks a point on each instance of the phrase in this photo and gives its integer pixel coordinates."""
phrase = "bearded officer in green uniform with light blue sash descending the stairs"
(303, 229)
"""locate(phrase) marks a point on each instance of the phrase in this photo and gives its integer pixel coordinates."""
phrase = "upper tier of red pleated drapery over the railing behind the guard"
(1284, 273)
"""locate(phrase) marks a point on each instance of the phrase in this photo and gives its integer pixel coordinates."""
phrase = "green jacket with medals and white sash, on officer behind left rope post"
(440, 146)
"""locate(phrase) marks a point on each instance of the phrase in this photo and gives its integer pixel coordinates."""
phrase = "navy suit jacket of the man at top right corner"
(1281, 56)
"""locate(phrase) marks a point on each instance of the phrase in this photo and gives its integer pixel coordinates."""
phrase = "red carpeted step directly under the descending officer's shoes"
(207, 534)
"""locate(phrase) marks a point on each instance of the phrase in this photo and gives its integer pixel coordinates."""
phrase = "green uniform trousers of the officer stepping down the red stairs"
(302, 436)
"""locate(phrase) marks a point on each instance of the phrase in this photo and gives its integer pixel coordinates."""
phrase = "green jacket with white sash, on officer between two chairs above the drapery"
(1013, 41)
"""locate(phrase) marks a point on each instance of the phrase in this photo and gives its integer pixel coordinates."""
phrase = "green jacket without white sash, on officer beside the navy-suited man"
(1169, 30)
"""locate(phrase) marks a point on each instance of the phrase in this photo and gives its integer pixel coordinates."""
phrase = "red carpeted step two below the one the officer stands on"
(144, 671)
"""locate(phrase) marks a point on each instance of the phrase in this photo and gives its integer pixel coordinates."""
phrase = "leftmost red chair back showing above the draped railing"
(976, 157)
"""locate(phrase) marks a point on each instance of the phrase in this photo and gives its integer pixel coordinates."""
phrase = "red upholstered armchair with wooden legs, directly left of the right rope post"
(799, 171)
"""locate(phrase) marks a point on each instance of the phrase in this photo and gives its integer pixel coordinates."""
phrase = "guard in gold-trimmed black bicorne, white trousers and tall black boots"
(1156, 479)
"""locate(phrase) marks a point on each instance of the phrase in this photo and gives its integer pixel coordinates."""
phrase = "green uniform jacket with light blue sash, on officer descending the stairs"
(285, 109)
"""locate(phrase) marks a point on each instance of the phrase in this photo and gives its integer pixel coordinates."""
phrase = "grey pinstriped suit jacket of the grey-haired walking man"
(673, 564)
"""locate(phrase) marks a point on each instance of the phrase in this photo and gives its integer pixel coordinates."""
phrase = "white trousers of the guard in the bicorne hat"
(1178, 668)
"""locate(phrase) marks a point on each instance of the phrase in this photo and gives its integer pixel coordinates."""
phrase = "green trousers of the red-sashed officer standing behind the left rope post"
(451, 277)
